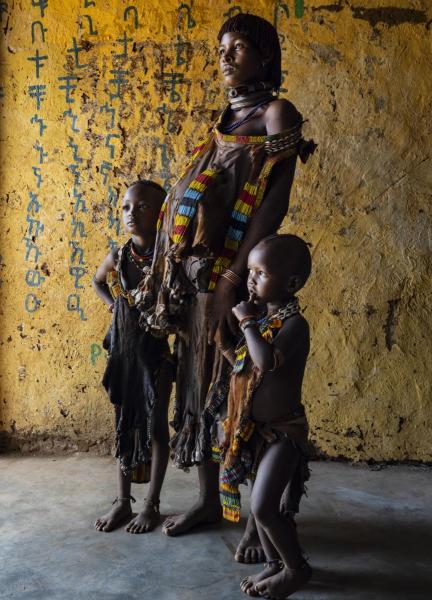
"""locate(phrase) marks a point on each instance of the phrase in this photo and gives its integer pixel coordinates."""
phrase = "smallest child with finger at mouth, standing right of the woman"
(266, 428)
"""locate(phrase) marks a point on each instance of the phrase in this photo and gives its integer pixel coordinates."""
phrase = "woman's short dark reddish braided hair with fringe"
(263, 36)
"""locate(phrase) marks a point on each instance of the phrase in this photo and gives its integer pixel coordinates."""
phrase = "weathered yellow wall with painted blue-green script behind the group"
(360, 73)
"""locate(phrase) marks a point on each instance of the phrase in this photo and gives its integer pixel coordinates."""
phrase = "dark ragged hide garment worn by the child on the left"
(130, 378)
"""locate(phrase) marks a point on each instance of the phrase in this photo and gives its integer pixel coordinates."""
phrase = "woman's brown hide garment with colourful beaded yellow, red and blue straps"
(229, 176)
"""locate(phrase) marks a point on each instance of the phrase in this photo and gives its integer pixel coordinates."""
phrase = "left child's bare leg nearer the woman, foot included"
(149, 517)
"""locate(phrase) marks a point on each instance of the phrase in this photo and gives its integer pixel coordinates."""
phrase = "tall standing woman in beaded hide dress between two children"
(234, 192)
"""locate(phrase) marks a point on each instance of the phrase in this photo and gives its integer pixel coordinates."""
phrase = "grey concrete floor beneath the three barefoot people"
(366, 532)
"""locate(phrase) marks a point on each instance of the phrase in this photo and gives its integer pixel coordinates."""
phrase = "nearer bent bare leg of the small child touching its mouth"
(279, 537)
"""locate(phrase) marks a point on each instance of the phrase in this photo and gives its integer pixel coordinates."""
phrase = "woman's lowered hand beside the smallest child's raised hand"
(221, 316)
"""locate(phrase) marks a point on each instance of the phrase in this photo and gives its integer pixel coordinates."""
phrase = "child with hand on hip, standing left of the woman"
(138, 375)
